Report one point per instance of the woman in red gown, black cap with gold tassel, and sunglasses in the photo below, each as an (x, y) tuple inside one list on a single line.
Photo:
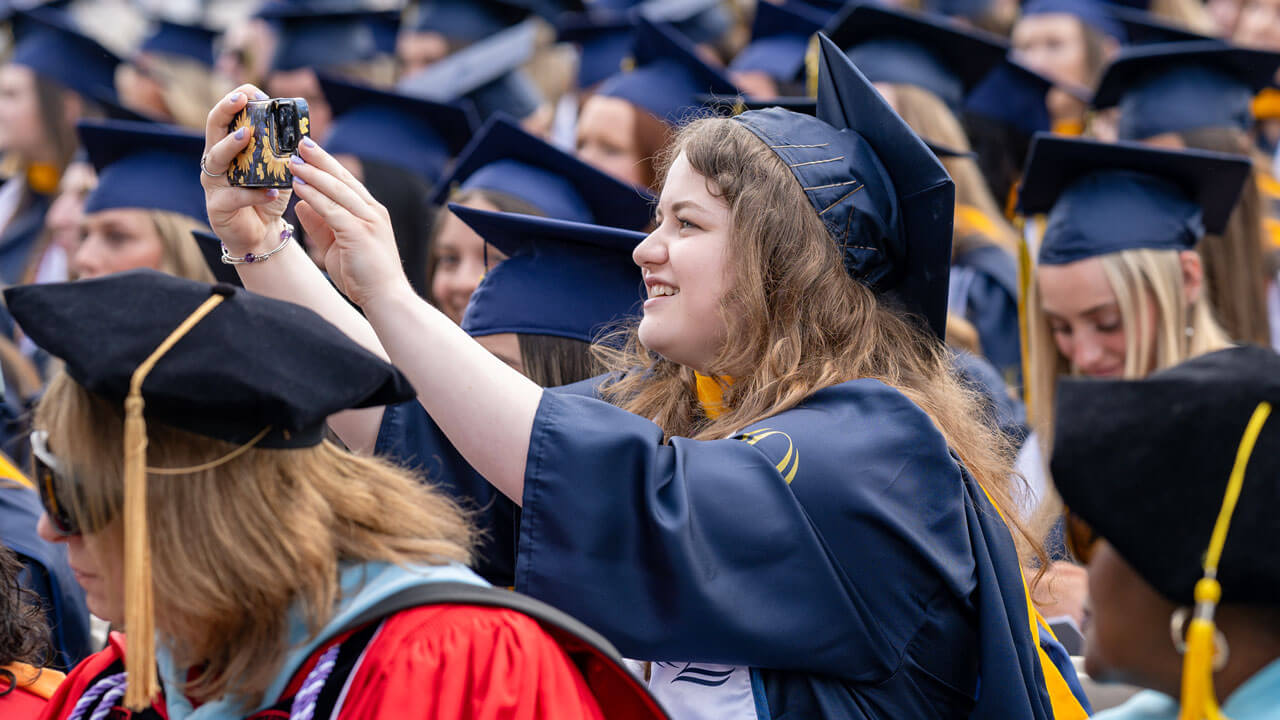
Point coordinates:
[(258, 569)]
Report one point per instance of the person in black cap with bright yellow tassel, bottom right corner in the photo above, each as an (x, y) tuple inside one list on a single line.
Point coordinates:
[(1171, 485)]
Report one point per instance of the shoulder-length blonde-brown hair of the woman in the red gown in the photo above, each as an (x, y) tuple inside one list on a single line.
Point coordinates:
[(237, 546)]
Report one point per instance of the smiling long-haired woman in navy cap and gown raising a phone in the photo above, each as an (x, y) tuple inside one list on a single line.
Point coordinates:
[(767, 514)]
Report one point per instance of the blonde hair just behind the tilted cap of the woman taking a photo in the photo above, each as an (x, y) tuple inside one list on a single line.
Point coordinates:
[(931, 119)]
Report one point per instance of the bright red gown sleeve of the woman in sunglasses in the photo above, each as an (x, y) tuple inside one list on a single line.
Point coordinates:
[(455, 663)]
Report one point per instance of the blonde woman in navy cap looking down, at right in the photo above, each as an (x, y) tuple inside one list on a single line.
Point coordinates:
[(1118, 290)]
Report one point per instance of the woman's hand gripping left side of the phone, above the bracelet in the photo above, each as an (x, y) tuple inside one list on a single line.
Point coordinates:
[(245, 220)]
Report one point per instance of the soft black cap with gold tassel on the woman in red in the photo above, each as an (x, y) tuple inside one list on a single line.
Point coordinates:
[(212, 361)]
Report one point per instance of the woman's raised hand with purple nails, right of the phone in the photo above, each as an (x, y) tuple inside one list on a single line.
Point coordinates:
[(349, 227)]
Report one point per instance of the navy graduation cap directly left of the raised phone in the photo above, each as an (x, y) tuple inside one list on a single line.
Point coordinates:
[(145, 166)]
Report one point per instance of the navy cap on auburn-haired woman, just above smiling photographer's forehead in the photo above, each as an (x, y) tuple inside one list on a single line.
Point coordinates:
[(668, 78)]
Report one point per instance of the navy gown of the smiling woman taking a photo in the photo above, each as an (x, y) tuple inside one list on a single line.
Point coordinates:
[(839, 550)]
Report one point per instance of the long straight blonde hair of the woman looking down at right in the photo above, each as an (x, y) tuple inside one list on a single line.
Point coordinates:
[(1146, 284)]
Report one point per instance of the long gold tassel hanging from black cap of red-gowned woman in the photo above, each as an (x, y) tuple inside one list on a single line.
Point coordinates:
[(140, 662)]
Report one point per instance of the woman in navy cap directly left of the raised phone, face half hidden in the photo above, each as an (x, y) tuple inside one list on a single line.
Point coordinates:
[(147, 203)]
